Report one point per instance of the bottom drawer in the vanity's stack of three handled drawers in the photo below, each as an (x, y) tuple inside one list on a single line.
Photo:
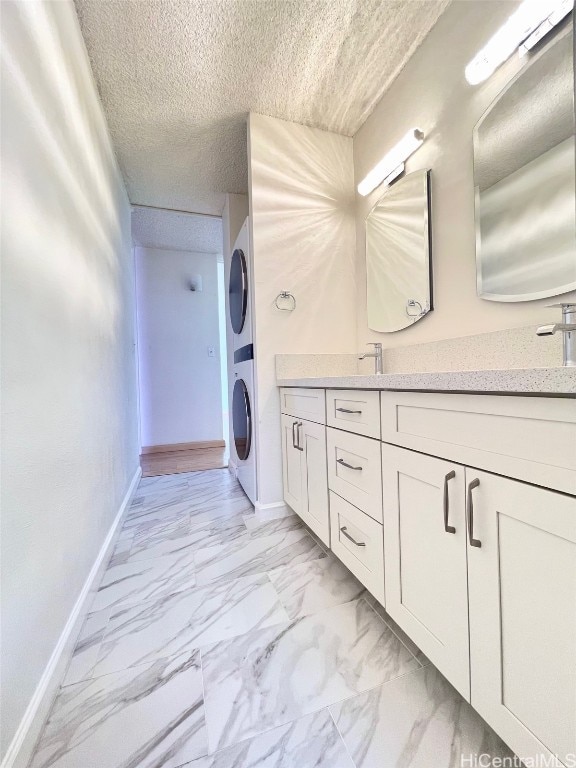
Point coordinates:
[(358, 541)]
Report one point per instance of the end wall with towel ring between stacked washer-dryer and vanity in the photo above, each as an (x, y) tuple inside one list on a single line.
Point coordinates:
[(303, 241)]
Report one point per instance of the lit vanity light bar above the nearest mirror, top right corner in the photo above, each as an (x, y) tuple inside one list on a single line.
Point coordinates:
[(520, 28)]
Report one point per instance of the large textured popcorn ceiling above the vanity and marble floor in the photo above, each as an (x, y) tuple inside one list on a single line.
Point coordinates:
[(178, 78)]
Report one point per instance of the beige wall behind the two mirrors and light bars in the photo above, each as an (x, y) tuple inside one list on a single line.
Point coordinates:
[(431, 93)]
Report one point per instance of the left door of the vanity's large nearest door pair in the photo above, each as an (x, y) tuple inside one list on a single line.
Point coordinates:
[(425, 557)]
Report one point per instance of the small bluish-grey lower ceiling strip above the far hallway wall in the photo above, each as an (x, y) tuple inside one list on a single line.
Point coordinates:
[(176, 231)]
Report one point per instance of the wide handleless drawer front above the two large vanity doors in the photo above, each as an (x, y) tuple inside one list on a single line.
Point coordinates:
[(528, 438)]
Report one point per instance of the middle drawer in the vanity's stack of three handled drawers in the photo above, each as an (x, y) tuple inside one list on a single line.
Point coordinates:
[(355, 470)]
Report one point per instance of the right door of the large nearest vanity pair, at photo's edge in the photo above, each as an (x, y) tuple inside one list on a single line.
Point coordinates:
[(522, 582)]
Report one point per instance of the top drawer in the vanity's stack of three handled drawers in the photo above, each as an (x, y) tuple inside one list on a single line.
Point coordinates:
[(354, 410)]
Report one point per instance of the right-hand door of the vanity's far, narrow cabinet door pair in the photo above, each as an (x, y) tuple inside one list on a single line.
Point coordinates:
[(314, 510)]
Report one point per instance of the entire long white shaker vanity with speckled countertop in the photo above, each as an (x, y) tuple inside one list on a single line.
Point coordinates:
[(457, 511)]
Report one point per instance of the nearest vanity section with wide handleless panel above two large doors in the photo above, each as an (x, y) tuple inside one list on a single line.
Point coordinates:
[(481, 569)]
